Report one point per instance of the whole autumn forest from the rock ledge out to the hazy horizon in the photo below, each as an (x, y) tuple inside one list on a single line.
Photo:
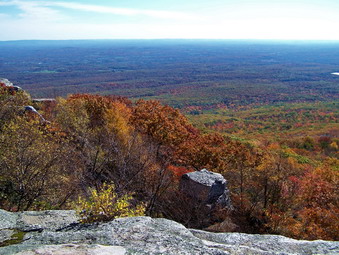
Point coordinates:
[(264, 119)]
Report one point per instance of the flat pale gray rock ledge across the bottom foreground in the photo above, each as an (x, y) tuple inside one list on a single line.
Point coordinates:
[(59, 233)]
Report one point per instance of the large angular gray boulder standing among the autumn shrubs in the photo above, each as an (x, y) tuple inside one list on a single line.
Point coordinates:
[(206, 187)]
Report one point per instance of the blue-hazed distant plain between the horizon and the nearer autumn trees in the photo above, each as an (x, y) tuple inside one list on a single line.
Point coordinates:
[(182, 73)]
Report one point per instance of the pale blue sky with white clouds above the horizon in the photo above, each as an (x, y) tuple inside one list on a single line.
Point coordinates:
[(169, 19)]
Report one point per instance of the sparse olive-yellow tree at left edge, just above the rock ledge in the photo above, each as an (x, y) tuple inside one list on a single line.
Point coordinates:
[(31, 165)]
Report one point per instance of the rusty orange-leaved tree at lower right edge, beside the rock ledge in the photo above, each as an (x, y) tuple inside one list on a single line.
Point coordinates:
[(316, 206)]
